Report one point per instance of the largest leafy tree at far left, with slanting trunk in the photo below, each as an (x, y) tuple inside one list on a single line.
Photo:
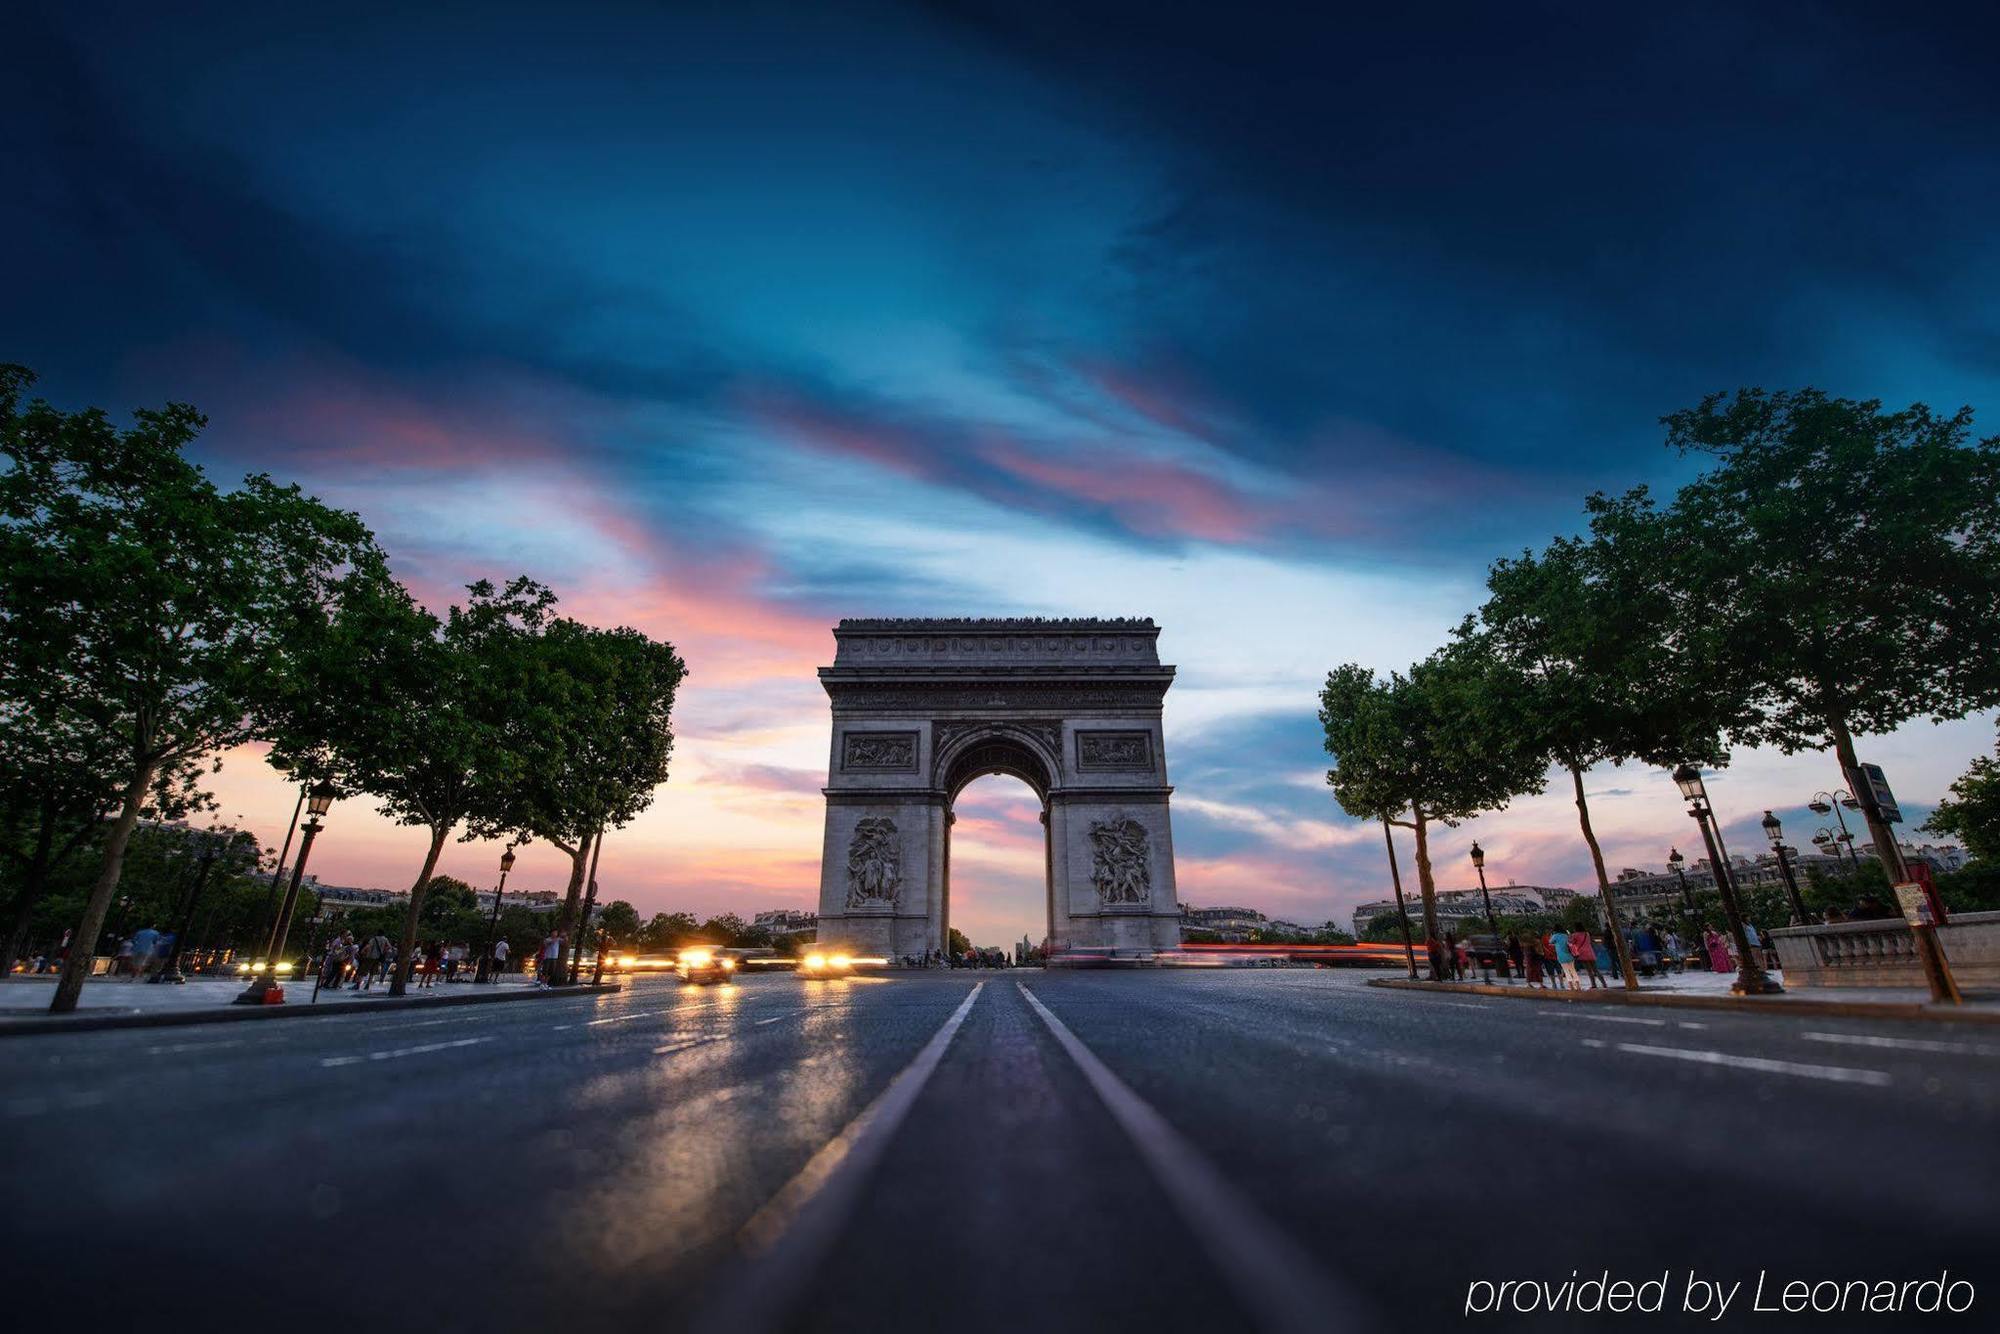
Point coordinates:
[(147, 607)]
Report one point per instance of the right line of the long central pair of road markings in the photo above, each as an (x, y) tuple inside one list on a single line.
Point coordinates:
[(1273, 1275)]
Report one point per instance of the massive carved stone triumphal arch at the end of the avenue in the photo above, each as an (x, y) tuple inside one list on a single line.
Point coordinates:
[(1069, 707)]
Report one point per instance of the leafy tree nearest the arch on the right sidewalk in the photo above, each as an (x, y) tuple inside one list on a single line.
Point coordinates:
[(1429, 747)]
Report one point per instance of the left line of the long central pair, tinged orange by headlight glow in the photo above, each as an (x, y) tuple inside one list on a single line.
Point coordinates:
[(791, 1237)]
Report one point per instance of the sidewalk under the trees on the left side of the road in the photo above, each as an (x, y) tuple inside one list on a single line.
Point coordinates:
[(117, 1003)]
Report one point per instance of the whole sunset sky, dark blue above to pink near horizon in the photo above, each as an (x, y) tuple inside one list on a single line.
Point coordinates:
[(733, 319)]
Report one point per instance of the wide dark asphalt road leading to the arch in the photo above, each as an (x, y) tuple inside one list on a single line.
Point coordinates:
[(981, 1151)]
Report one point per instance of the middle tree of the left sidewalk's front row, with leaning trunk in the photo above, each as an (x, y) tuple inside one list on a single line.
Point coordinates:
[(419, 713)]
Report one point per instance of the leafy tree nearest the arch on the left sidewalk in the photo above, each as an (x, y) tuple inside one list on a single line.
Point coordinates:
[(595, 737)]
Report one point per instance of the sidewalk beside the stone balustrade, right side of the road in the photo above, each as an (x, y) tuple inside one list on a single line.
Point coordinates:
[(1711, 991)]
